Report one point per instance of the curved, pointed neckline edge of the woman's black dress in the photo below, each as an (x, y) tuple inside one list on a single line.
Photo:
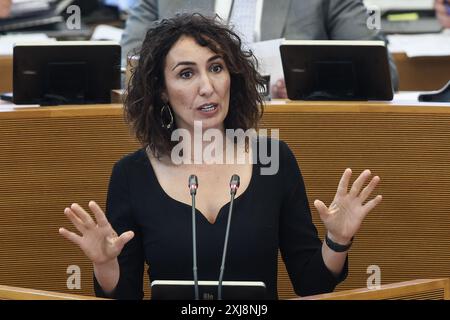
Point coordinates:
[(198, 212)]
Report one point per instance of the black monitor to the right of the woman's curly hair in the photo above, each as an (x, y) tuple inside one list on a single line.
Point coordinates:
[(336, 70)]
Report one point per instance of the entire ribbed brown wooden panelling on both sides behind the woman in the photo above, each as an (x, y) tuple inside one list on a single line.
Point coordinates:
[(52, 157)]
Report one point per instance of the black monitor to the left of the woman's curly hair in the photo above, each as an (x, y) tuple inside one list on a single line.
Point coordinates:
[(67, 72)]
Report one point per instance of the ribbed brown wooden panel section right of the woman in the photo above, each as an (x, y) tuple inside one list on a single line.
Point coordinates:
[(407, 235)]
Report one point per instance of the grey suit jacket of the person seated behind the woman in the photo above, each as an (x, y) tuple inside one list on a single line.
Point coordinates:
[(290, 19)]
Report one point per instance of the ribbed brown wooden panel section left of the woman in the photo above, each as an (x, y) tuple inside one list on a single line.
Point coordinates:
[(45, 165)]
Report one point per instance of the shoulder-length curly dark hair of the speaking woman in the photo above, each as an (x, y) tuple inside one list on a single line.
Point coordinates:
[(143, 101)]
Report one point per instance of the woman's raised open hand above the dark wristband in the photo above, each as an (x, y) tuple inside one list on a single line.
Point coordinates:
[(344, 216)]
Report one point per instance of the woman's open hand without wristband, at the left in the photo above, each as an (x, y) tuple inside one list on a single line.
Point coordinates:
[(99, 242)]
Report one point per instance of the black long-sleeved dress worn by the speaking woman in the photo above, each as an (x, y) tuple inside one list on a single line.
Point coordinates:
[(272, 213)]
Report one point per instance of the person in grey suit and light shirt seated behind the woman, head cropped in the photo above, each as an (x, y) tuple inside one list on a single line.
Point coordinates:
[(268, 19)]
